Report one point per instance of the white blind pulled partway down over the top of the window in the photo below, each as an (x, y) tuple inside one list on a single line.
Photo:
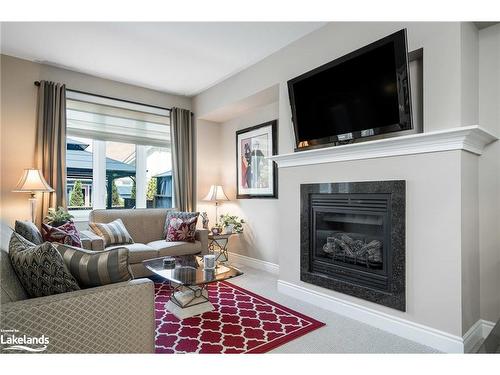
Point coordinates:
[(114, 120)]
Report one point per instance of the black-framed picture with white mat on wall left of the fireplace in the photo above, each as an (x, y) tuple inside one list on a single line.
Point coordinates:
[(256, 176)]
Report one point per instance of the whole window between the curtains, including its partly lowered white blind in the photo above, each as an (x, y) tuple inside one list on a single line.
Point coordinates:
[(118, 154)]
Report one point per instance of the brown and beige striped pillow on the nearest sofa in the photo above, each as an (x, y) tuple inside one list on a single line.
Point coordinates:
[(96, 268)]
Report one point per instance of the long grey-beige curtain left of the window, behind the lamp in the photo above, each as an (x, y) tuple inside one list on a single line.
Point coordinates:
[(50, 147)]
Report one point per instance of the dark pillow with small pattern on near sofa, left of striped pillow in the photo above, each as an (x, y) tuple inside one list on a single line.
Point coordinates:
[(40, 268)]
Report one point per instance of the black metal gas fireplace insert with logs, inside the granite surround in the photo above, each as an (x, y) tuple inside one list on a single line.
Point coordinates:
[(351, 238)]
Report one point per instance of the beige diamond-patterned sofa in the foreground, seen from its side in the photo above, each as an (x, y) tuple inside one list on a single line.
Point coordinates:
[(116, 318)]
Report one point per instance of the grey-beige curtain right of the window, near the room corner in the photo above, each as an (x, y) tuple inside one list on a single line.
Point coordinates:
[(183, 159)]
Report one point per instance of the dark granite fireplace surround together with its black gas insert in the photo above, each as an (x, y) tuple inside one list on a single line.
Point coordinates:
[(353, 239)]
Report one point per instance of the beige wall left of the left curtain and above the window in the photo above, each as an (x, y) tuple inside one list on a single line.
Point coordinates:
[(18, 118)]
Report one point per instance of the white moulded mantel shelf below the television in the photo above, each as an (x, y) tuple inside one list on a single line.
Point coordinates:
[(468, 138)]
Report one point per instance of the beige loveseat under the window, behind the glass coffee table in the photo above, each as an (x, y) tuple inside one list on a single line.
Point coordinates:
[(146, 226)]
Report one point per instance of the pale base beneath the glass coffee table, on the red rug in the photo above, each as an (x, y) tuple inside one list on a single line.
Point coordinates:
[(188, 301)]
